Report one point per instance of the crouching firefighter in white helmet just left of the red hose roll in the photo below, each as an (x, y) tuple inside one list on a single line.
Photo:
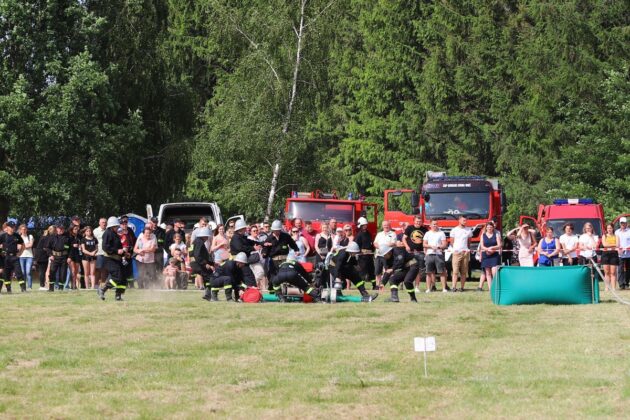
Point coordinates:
[(231, 276)]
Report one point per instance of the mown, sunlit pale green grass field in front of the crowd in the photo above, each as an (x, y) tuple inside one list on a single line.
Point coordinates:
[(171, 354)]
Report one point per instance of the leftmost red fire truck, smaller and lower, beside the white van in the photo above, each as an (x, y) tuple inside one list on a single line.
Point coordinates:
[(319, 207)]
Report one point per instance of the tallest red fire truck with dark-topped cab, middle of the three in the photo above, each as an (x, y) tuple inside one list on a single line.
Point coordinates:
[(445, 198)]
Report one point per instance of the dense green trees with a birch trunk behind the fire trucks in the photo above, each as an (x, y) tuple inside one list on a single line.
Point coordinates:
[(105, 106)]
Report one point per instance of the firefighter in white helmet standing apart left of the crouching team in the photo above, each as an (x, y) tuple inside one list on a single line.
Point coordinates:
[(114, 252)]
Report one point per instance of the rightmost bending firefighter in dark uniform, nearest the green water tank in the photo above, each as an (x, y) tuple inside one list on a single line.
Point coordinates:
[(400, 267)]
